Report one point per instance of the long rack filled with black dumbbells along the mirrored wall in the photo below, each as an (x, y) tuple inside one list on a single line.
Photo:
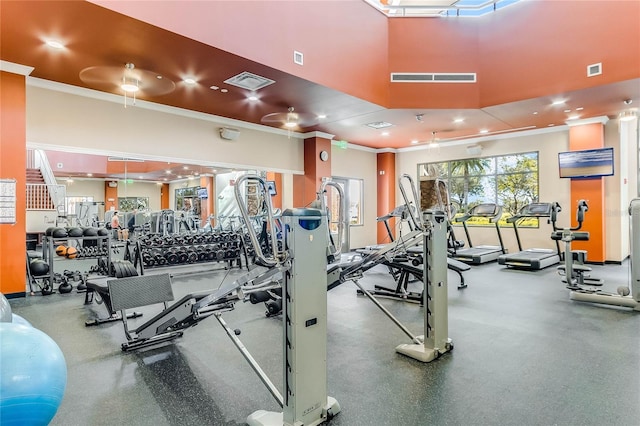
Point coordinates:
[(156, 250)]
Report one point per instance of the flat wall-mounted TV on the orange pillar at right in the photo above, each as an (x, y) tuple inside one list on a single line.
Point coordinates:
[(588, 163)]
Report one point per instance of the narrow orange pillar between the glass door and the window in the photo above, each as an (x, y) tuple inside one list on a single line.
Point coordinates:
[(386, 186)]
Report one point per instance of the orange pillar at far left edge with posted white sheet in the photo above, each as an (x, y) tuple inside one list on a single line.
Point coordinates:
[(13, 167)]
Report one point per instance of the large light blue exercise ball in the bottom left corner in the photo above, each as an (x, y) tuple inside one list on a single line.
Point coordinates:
[(33, 376)]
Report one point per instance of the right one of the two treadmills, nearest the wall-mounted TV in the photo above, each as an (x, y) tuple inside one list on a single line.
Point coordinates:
[(533, 258)]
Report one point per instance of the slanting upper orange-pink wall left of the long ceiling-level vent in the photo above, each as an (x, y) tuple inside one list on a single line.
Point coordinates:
[(344, 42)]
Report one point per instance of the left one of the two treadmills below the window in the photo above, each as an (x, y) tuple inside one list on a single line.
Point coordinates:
[(481, 254)]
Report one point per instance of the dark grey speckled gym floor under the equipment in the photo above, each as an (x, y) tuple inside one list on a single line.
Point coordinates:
[(524, 355)]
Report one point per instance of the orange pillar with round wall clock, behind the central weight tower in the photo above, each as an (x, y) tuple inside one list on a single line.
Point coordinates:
[(305, 186)]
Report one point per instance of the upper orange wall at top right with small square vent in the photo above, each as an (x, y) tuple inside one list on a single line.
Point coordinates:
[(559, 39)]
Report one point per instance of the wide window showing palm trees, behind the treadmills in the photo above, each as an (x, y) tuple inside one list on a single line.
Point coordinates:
[(510, 181)]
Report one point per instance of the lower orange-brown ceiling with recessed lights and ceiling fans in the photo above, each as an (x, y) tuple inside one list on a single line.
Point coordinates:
[(94, 36)]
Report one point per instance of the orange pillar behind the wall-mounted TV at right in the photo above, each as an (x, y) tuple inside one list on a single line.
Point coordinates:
[(589, 136)]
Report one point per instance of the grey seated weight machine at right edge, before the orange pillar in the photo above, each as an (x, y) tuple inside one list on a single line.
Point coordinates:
[(579, 285)]
